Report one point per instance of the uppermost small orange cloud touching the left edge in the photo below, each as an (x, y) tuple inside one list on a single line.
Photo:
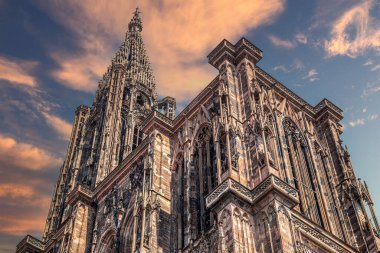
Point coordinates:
[(18, 71)]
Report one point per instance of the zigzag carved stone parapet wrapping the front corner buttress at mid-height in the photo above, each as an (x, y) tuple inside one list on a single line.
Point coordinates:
[(271, 183)]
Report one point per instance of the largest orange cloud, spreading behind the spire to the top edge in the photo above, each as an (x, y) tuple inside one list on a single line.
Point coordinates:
[(177, 35)]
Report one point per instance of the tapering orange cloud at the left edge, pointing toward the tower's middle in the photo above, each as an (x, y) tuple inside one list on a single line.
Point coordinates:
[(26, 156)]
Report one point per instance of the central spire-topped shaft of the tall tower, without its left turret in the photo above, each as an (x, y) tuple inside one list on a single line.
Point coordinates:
[(126, 95)]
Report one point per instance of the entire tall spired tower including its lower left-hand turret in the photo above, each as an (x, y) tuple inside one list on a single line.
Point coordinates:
[(106, 133)]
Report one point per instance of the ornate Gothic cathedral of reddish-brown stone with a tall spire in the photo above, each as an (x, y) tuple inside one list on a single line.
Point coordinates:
[(248, 166)]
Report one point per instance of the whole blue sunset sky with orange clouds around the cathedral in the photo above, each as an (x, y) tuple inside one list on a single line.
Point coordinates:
[(52, 54)]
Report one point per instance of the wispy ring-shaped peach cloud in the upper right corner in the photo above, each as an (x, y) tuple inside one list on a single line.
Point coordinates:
[(354, 32)]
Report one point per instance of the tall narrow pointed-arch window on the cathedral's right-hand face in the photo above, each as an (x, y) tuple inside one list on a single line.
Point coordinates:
[(302, 170)]
